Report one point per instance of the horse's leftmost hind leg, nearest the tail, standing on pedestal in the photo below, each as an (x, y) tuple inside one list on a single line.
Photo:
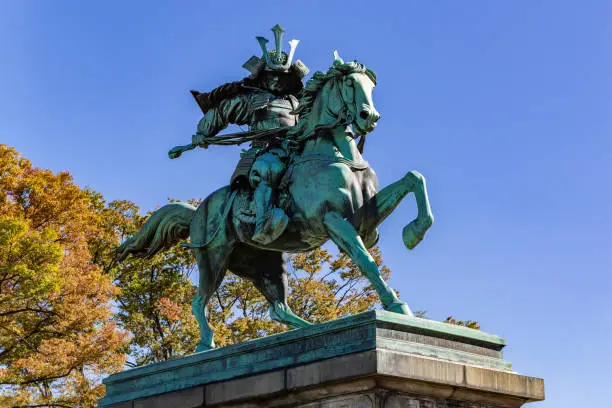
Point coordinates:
[(212, 264)]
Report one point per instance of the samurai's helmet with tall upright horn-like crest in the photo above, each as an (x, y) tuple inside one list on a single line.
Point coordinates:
[(276, 60)]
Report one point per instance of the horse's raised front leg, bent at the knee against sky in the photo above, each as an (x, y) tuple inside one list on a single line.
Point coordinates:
[(379, 207)]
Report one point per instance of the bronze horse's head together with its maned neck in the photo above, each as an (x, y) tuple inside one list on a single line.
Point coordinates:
[(340, 96)]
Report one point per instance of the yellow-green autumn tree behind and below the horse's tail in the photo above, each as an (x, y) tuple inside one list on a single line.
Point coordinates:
[(154, 300)]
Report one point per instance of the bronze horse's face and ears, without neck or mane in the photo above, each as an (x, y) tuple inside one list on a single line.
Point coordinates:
[(354, 95)]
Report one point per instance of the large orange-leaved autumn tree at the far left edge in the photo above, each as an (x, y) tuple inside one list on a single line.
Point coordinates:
[(57, 337)]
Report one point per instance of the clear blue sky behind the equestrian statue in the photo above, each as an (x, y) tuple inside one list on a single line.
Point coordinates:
[(505, 107)]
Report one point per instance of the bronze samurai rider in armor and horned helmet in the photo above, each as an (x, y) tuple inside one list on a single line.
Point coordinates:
[(265, 100)]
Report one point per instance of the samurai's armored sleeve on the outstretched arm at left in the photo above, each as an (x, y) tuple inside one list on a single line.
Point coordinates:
[(235, 110)]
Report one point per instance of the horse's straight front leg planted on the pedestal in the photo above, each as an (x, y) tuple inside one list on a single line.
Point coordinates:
[(342, 232)]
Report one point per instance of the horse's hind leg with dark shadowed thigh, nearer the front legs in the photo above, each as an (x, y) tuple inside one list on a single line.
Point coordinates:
[(268, 272)]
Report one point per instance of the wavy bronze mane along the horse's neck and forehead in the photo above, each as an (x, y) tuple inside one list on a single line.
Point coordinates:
[(310, 91)]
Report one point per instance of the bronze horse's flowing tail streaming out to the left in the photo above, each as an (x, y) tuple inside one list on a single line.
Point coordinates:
[(164, 228)]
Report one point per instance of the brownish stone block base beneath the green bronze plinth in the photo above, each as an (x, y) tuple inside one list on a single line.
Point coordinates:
[(373, 378)]
